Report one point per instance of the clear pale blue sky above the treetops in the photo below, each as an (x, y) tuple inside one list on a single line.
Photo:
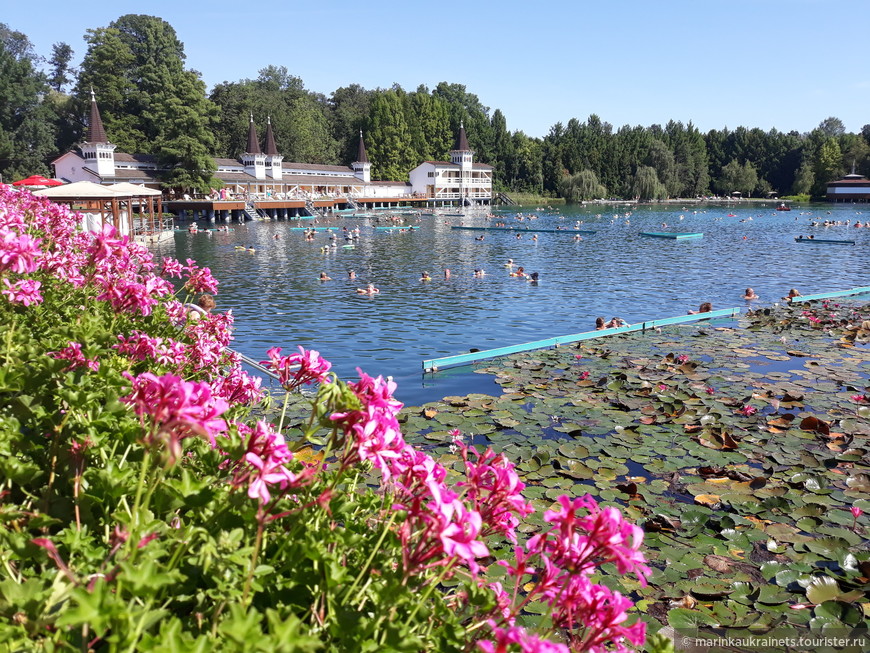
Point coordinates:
[(787, 64)]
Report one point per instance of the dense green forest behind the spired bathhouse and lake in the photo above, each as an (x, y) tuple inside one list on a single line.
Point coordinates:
[(152, 102)]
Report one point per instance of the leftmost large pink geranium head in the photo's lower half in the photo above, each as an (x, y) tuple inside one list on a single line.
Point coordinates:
[(177, 409)]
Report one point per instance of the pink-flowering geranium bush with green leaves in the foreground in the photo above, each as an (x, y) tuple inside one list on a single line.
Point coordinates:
[(147, 508)]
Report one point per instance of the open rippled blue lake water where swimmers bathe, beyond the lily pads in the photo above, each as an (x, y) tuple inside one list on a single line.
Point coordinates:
[(277, 299)]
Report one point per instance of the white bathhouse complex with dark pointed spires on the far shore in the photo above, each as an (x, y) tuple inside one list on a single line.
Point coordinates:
[(262, 173)]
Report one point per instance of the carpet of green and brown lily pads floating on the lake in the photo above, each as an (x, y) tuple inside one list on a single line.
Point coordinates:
[(741, 450)]
